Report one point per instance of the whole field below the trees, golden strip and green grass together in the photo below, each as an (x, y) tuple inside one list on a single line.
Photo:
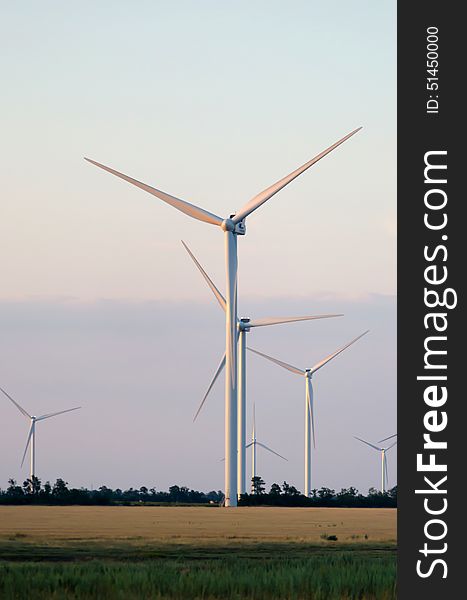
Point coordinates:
[(196, 552)]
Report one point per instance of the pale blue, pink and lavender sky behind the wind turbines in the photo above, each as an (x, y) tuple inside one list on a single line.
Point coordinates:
[(100, 305)]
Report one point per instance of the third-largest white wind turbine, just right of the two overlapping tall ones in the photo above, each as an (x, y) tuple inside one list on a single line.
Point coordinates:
[(309, 410)]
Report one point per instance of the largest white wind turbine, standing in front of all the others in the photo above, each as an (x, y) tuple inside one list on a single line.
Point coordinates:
[(232, 226)]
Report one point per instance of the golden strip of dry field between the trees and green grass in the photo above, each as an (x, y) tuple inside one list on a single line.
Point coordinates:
[(196, 524)]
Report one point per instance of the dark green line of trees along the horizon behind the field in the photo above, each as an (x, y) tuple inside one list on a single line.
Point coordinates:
[(34, 492)]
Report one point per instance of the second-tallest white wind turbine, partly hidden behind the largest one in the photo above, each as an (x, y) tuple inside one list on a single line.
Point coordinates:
[(244, 325)]
